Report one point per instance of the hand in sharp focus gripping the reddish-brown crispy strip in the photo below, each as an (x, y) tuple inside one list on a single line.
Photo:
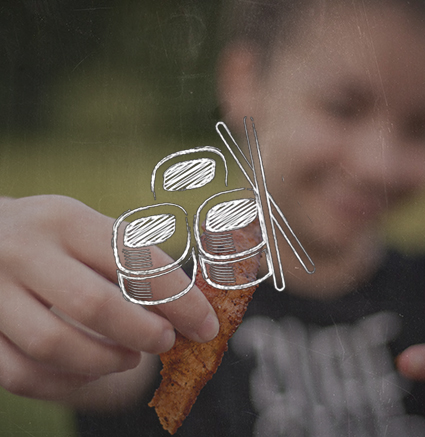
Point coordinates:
[(63, 321)]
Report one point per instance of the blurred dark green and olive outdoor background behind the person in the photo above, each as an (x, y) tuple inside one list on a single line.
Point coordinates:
[(92, 95)]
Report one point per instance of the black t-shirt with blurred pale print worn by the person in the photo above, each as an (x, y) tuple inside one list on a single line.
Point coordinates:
[(299, 367)]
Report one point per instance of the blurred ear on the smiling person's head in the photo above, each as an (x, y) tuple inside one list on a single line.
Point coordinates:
[(238, 83)]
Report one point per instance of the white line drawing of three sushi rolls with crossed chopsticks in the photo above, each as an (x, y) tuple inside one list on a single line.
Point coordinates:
[(235, 209)]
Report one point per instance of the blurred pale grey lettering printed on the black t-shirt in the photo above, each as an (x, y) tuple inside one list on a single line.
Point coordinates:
[(326, 382)]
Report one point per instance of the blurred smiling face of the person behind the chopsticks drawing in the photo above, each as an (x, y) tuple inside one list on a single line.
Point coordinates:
[(341, 118)]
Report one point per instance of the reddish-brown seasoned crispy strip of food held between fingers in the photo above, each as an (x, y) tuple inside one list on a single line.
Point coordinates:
[(189, 365)]
